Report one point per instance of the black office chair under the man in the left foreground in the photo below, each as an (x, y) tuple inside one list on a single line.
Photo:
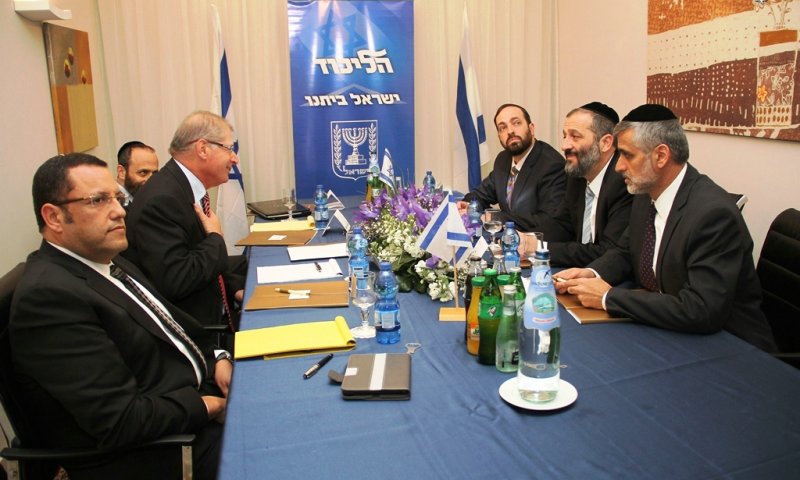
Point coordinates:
[(21, 462)]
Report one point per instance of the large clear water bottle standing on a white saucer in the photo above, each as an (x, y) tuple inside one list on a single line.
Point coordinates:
[(539, 335)]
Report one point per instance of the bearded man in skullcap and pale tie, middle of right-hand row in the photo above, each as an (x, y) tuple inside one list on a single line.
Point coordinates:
[(596, 208)]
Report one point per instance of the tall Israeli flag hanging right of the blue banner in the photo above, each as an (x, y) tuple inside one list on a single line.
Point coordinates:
[(470, 118)]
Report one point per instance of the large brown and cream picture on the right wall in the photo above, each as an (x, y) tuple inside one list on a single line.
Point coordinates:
[(727, 66)]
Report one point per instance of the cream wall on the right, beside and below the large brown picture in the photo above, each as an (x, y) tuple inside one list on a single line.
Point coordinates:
[(603, 56)]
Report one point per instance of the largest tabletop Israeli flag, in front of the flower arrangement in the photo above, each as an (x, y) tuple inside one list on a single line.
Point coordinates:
[(445, 231)]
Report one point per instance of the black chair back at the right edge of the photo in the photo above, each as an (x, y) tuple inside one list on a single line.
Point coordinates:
[(779, 272)]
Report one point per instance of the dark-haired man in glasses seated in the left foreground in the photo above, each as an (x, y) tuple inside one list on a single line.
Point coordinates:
[(95, 366)]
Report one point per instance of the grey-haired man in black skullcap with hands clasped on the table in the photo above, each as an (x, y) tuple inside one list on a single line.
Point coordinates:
[(687, 244)]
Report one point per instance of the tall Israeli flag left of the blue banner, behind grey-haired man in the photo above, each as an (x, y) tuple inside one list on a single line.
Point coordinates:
[(231, 206)]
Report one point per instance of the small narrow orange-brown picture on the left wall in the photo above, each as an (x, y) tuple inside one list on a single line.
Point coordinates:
[(70, 69)]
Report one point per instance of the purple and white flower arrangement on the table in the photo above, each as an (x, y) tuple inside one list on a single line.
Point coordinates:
[(392, 222)]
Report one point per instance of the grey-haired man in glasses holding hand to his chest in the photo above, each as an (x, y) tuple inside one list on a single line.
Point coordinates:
[(173, 235)]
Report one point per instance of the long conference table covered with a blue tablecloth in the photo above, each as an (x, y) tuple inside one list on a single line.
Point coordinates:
[(651, 404)]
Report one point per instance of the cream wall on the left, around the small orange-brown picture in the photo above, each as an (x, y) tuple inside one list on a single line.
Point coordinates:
[(28, 136)]
